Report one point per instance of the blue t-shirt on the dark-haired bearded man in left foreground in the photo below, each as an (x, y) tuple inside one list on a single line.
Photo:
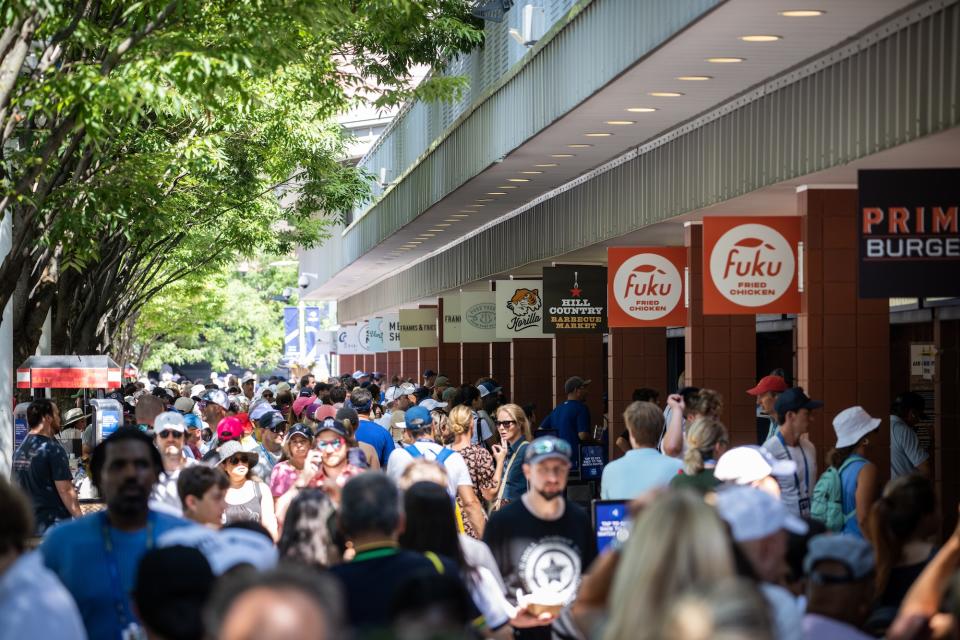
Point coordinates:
[(76, 552)]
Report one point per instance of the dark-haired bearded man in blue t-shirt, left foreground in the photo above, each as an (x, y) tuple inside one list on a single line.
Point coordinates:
[(96, 556)]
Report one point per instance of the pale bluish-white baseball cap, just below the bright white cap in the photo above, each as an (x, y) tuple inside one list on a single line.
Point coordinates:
[(753, 514)]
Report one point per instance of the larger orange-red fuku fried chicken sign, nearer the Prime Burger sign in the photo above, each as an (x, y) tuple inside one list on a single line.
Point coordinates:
[(751, 265)]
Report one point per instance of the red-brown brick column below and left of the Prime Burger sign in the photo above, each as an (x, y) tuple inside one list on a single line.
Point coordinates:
[(843, 342)]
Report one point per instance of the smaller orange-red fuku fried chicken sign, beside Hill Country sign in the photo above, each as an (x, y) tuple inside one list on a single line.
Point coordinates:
[(645, 286)]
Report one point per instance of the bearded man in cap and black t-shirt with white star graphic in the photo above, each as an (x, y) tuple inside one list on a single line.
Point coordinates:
[(542, 543)]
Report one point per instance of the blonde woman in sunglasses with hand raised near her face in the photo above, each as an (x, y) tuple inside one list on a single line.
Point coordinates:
[(514, 430)]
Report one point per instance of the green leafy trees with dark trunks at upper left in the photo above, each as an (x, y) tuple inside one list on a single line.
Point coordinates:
[(144, 142)]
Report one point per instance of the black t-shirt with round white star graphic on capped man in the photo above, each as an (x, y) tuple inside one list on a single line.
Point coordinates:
[(540, 555)]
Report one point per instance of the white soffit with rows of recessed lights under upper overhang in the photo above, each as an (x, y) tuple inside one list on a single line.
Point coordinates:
[(718, 35)]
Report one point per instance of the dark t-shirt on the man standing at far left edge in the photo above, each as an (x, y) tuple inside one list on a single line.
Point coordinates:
[(38, 463)]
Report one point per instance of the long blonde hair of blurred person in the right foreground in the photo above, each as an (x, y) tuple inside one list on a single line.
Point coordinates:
[(656, 569)]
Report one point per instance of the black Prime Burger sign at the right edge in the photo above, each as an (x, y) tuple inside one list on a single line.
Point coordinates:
[(909, 240)]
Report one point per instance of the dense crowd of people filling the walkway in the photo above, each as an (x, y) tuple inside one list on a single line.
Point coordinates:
[(367, 508)]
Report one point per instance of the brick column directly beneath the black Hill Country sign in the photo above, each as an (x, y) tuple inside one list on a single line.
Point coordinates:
[(580, 355)]
